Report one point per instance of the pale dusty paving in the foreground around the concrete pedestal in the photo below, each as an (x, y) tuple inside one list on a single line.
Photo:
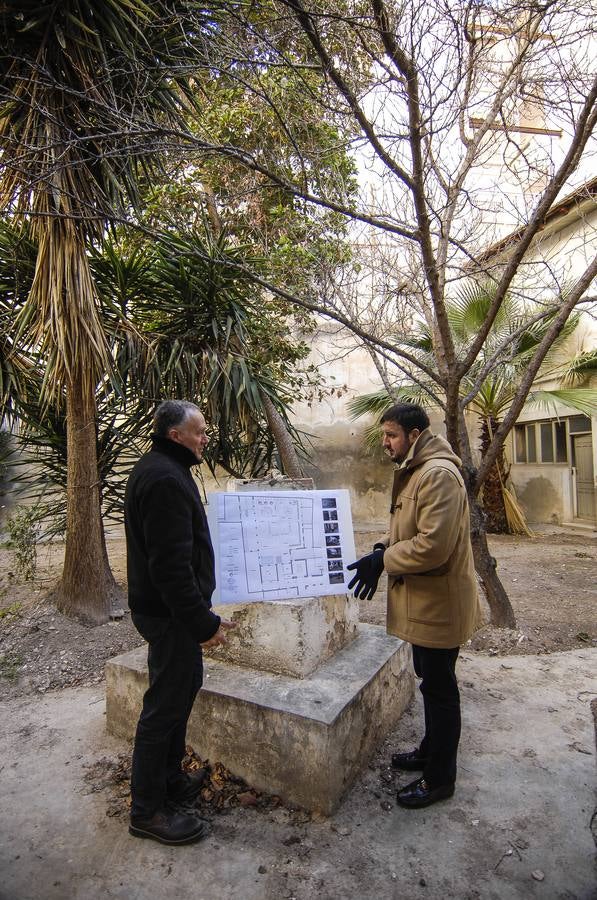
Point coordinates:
[(522, 824)]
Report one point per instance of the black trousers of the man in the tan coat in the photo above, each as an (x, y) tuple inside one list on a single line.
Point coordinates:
[(441, 700)]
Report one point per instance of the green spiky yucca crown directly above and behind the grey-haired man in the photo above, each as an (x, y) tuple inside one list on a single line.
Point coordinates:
[(202, 325)]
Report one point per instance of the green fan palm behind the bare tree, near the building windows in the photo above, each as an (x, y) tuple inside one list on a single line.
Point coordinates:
[(489, 397)]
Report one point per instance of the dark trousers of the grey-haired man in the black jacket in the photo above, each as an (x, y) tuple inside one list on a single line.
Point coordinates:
[(175, 675)]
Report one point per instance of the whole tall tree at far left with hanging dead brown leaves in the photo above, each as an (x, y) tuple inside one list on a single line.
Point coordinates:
[(77, 78)]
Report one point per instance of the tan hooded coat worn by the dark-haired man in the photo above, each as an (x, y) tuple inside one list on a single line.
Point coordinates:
[(432, 587)]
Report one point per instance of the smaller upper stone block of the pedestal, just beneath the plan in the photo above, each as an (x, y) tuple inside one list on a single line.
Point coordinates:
[(289, 637)]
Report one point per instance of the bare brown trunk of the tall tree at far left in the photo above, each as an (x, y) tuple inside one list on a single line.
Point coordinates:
[(87, 589)]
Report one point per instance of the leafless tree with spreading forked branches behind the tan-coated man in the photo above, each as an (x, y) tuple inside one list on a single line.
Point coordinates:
[(466, 121)]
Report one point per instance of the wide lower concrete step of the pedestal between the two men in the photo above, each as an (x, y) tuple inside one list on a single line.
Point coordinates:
[(305, 740)]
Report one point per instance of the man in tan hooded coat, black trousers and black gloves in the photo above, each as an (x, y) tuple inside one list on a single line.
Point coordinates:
[(432, 589)]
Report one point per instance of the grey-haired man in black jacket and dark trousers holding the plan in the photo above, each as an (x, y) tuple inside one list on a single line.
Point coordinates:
[(170, 565)]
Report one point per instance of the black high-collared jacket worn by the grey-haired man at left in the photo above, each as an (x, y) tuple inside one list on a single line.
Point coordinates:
[(170, 559)]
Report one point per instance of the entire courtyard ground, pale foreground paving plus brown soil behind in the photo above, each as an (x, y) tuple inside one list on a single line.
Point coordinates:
[(523, 823)]
